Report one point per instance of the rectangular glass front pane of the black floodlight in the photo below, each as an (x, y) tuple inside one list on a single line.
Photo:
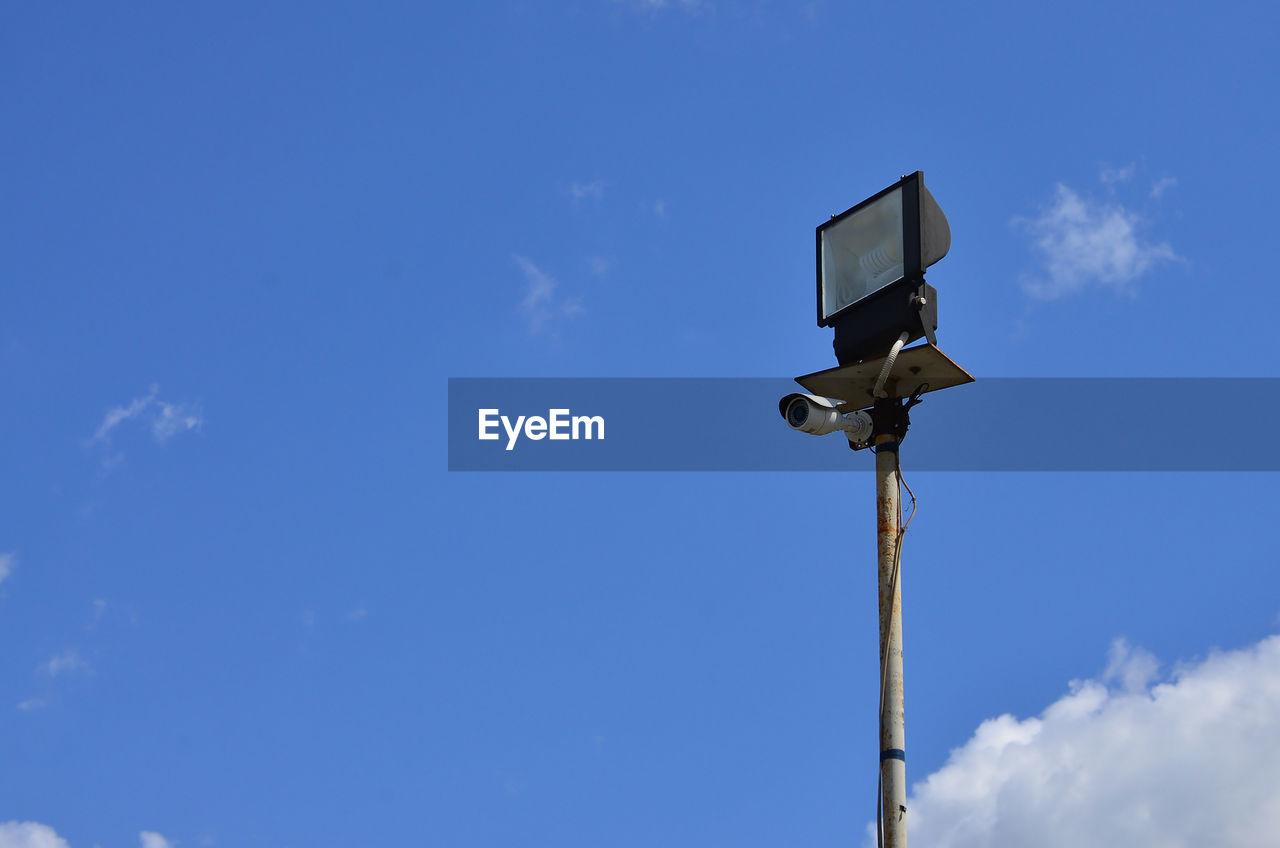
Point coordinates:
[(862, 254)]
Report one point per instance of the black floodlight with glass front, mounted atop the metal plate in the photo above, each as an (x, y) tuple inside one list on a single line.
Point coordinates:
[(871, 270)]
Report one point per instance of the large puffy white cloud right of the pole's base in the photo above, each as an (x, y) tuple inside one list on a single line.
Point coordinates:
[(1190, 762)]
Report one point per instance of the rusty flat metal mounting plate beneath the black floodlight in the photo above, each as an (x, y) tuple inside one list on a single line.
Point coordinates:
[(924, 364)]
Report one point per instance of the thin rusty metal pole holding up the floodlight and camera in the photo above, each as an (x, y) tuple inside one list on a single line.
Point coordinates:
[(893, 740)]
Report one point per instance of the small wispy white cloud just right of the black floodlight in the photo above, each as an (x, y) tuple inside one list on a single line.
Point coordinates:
[(1084, 244)]
